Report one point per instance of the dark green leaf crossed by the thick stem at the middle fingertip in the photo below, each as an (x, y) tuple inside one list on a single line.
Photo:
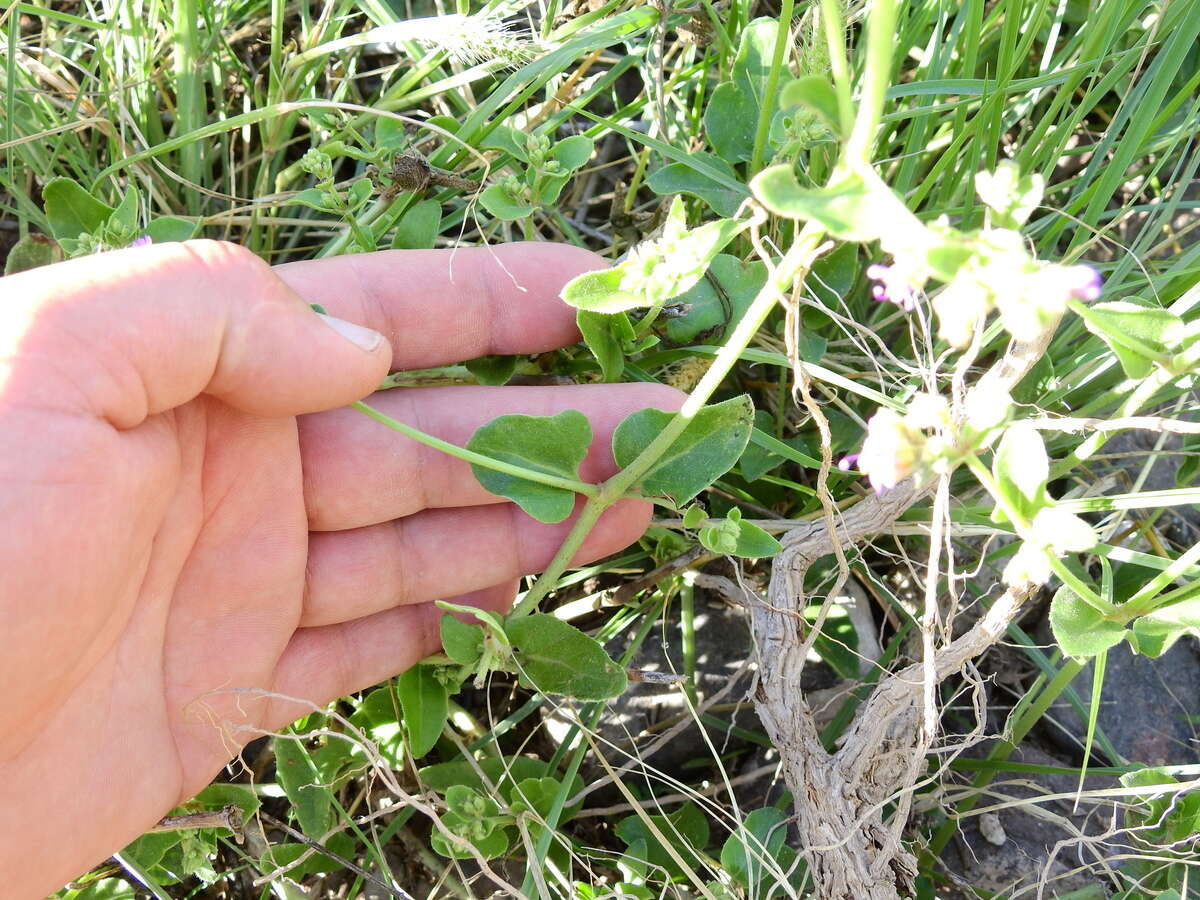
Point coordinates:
[(706, 451)]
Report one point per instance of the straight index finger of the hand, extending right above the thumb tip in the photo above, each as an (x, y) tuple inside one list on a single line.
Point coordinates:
[(442, 307)]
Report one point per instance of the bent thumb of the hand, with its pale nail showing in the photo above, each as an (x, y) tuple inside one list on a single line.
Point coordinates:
[(151, 328)]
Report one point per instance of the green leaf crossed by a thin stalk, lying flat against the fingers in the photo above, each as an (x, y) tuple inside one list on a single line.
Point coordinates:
[(555, 446)]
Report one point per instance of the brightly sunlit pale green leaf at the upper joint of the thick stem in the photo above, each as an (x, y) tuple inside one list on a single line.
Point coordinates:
[(850, 209)]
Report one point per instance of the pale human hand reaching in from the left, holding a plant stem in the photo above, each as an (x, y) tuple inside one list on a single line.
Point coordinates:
[(193, 523)]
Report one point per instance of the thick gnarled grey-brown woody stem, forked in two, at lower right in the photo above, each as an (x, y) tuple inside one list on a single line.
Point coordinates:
[(851, 850)]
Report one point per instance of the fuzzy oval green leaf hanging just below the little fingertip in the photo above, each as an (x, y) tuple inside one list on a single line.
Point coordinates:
[(557, 658)]
